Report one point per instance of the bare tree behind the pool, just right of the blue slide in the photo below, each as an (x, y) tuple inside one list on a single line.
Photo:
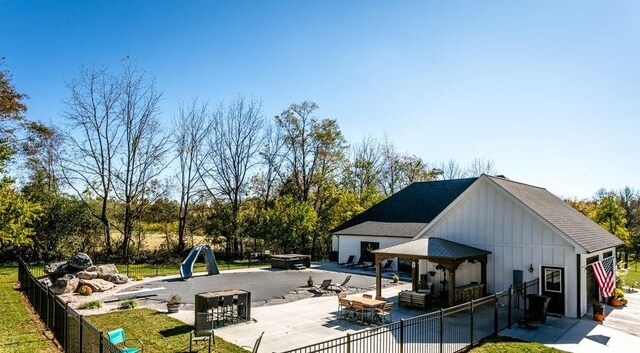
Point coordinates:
[(233, 147)]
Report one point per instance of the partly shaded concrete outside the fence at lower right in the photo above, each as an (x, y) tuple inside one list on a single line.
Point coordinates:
[(620, 331)]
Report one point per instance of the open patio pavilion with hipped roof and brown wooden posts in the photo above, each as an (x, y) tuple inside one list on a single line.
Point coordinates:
[(446, 253)]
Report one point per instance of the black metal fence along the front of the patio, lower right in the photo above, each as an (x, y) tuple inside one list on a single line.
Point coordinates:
[(445, 331)]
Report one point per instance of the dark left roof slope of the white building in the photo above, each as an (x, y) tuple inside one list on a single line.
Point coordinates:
[(400, 213)]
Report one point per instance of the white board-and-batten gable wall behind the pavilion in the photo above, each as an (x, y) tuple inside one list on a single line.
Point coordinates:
[(488, 218)]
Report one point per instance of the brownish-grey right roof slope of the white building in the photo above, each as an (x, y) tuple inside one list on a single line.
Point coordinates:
[(574, 224)]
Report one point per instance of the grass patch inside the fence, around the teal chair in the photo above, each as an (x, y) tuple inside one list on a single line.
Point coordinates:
[(159, 332)]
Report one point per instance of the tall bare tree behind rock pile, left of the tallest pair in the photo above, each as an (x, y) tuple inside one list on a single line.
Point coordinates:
[(92, 140)]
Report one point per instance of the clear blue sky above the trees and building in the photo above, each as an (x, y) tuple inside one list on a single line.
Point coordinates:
[(549, 90)]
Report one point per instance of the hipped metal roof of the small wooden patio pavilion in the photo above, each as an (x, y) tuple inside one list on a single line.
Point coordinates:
[(434, 247)]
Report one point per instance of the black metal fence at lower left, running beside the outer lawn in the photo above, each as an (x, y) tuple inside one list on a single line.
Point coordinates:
[(72, 332)]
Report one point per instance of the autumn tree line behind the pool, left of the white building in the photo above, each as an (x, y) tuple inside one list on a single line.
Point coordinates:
[(113, 171)]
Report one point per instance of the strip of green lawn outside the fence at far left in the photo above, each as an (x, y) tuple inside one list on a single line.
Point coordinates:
[(20, 330)]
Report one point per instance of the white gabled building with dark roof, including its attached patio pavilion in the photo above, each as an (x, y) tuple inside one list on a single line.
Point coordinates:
[(488, 230)]
